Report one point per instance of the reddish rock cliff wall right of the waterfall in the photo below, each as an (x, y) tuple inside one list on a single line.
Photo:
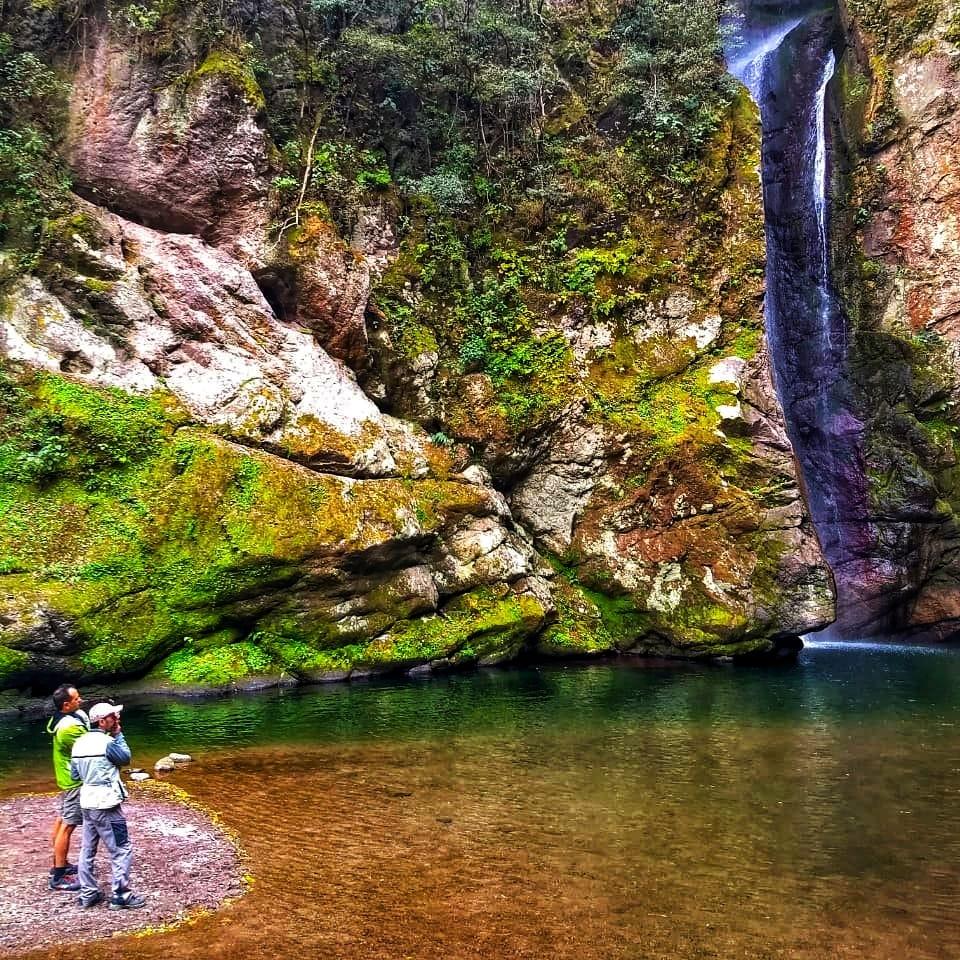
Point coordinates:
[(898, 256)]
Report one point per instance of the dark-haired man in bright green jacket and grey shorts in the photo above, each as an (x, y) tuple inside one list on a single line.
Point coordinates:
[(66, 726)]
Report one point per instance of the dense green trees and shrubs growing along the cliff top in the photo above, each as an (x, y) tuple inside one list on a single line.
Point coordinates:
[(454, 101)]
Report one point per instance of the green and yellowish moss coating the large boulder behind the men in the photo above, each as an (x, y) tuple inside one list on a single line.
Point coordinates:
[(176, 533)]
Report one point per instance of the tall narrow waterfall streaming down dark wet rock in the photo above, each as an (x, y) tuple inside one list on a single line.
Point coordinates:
[(784, 56)]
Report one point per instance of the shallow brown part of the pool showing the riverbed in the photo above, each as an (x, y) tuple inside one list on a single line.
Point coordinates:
[(501, 849)]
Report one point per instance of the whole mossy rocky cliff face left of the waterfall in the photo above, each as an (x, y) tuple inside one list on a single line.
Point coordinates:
[(286, 394)]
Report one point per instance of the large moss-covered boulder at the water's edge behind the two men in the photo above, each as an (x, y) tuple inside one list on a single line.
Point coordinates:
[(135, 541)]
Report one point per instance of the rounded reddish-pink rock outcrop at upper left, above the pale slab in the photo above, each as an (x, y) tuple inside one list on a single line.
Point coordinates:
[(185, 154)]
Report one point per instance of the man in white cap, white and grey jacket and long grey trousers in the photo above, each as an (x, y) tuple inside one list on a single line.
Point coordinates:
[(96, 760)]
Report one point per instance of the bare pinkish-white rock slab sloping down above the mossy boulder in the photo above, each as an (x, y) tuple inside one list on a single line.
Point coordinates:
[(191, 318)]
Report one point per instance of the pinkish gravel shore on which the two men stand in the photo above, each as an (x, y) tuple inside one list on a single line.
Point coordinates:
[(184, 864)]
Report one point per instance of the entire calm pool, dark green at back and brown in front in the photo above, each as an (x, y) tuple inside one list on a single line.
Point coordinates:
[(583, 811)]
